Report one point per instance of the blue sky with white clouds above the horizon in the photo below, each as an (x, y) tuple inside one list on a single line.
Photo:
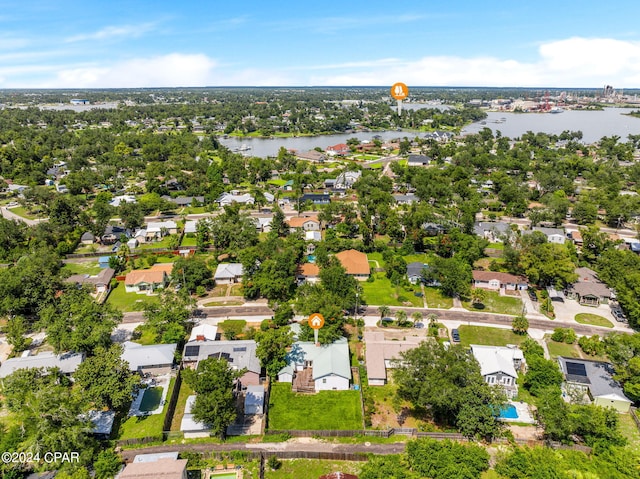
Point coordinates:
[(142, 43)]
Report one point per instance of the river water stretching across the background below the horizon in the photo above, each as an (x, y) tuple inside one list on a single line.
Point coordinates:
[(593, 124)]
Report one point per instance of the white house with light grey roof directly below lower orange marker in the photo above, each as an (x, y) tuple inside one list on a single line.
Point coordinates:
[(313, 367)]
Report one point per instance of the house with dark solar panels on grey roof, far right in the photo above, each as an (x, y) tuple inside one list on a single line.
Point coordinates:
[(595, 379)]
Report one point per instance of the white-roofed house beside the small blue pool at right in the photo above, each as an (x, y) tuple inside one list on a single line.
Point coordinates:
[(499, 365)]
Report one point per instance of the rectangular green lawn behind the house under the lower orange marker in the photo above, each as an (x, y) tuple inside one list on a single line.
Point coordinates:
[(323, 410)]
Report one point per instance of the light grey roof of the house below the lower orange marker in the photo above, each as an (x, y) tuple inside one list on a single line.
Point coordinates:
[(327, 359)]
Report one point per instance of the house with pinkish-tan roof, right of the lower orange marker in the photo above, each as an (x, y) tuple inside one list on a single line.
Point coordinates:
[(382, 354)]
